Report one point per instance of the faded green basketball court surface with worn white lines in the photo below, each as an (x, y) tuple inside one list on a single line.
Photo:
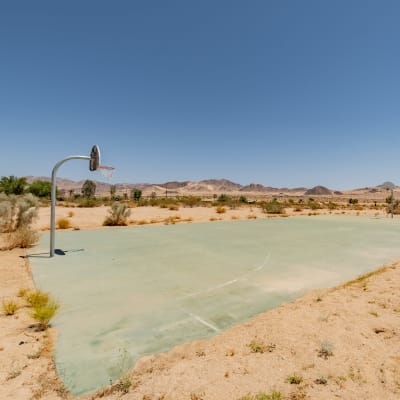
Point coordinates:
[(128, 292)]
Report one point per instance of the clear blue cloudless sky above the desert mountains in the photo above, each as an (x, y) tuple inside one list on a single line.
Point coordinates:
[(283, 93)]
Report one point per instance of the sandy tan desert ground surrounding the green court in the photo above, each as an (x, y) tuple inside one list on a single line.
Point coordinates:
[(341, 342)]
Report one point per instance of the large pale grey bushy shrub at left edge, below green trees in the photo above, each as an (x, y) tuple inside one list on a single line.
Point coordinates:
[(17, 211)]
